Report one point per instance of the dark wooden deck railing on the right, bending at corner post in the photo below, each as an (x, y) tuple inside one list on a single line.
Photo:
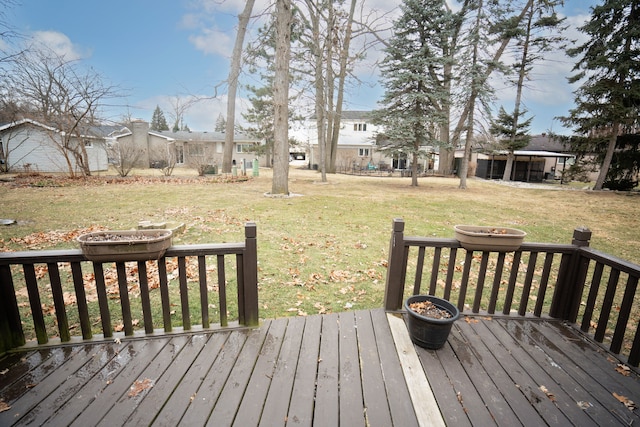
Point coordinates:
[(572, 282)]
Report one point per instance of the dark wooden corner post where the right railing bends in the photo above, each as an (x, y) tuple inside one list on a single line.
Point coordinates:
[(571, 277)]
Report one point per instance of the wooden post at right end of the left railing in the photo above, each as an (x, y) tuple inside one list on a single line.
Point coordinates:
[(249, 300)]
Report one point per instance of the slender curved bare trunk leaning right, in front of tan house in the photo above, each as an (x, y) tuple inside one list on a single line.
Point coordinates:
[(234, 72)]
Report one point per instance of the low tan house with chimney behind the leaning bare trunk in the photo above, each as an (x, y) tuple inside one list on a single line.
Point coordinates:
[(189, 148)]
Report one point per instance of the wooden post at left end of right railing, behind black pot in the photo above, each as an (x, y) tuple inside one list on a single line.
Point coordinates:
[(396, 270)]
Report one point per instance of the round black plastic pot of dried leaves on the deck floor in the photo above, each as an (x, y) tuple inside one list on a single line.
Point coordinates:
[(425, 330)]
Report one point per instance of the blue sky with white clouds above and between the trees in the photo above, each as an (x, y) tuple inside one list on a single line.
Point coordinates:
[(158, 51)]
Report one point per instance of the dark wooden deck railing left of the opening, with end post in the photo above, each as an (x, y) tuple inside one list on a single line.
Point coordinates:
[(69, 275)]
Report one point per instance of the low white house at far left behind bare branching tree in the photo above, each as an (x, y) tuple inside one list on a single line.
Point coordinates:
[(29, 146)]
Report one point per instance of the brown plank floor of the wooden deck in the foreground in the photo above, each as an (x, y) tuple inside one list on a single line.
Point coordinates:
[(324, 370)]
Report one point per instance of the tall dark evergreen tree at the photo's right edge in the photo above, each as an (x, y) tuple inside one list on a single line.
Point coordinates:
[(608, 101)]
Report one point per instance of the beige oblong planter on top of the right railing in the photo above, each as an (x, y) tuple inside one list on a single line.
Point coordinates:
[(483, 238)]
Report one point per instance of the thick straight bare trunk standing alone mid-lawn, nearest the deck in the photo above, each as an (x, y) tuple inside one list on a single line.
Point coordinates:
[(284, 16)]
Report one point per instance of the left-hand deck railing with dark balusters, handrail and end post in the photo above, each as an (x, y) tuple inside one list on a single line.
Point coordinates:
[(11, 330)]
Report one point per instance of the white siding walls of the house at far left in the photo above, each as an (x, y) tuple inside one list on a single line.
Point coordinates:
[(31, 149)]
